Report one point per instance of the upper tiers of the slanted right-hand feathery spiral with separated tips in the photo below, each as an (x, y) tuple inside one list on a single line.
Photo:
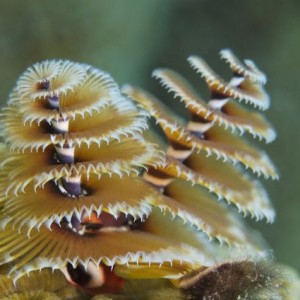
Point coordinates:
[(209, 149)]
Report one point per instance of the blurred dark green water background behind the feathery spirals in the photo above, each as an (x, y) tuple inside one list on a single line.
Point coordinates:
[(130, 38)]
